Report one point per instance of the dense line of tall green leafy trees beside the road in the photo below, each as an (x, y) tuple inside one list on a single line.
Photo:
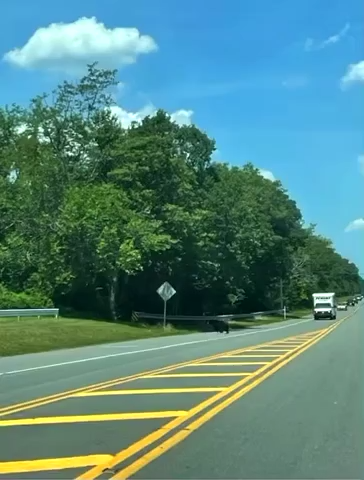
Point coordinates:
[(94, 217)]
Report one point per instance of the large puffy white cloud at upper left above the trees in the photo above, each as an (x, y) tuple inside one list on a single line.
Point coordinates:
[(68, 47)]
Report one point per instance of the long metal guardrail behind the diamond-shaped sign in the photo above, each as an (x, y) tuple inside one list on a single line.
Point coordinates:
[(136, 316)]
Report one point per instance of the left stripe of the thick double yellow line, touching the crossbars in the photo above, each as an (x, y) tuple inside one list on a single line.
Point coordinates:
[(160, 433)]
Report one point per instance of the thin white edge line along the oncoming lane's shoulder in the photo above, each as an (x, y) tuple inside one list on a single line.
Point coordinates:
[(120, 354)]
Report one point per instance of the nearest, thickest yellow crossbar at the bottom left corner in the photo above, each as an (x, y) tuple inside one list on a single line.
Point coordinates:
[(46, 464)]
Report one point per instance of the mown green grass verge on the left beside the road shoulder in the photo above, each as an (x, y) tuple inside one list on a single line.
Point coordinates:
[(30, 335)]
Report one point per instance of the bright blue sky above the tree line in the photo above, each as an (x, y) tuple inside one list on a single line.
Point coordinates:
[(262, 77)]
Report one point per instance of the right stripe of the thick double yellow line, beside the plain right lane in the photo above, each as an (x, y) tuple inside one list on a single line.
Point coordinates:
[(182, 434)]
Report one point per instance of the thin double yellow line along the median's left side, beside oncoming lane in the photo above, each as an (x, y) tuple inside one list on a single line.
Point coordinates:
[(37, 402)]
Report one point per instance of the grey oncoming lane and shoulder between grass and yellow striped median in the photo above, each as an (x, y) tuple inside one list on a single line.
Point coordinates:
[(30, 376)]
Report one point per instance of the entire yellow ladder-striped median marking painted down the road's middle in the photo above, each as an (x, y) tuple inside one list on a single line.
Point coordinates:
[(132, 459)]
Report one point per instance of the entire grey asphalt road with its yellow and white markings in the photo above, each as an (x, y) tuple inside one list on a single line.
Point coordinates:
[(282, 402)]
